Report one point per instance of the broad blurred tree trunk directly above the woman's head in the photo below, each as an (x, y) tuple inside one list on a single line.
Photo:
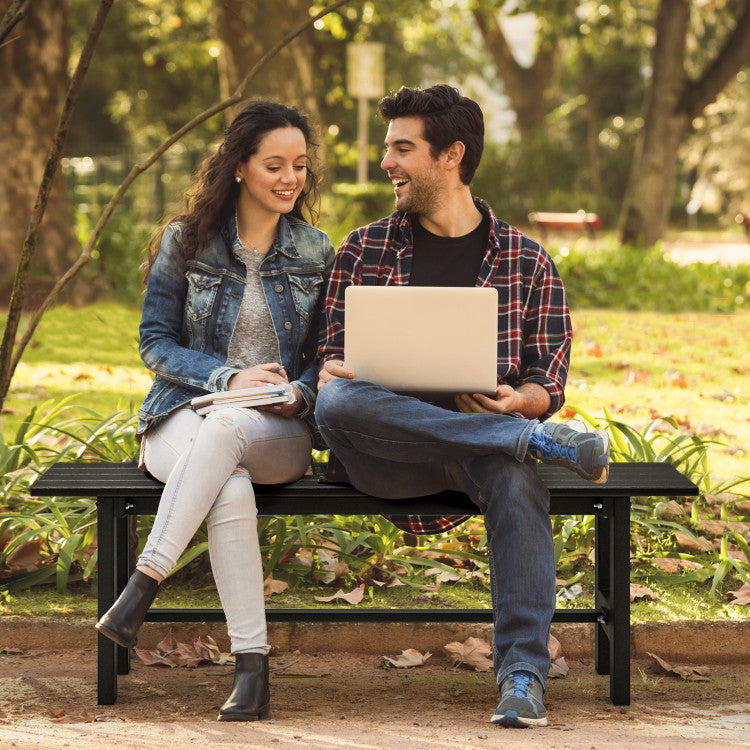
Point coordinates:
[(247, 30)]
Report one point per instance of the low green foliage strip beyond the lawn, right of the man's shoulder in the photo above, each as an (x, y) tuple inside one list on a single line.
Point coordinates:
[(625, 277)]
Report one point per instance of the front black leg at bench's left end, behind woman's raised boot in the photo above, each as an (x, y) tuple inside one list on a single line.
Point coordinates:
[(106, 649)]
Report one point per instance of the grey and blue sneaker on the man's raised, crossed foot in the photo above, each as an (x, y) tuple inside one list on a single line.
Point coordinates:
[(571, 446)]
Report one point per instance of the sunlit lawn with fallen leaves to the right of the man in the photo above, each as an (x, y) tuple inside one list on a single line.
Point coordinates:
[(689, 366)]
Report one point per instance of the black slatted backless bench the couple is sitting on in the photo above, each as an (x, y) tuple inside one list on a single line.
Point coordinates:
[(123, 491)]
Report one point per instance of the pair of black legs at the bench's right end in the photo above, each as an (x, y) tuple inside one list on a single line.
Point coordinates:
[(612, 549)]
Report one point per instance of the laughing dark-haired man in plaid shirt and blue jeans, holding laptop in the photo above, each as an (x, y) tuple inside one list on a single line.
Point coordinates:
[(397, 446)]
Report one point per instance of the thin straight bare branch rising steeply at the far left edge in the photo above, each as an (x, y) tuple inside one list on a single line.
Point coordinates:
[(15, 307)]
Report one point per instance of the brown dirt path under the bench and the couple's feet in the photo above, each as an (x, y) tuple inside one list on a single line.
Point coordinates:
[(48, 700)]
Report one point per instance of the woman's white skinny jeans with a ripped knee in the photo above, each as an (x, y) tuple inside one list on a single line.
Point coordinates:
[(207, 464)]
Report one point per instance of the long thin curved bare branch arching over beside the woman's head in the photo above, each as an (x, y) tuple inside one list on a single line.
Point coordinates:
[(138, 169)]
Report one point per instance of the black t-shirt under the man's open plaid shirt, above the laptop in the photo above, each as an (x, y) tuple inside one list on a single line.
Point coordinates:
[(448, 261)]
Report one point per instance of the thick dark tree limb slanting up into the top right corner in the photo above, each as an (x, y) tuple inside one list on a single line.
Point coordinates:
[(734, 54)]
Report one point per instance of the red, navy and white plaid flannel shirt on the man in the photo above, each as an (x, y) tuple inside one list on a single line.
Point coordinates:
[(534, 329)]
